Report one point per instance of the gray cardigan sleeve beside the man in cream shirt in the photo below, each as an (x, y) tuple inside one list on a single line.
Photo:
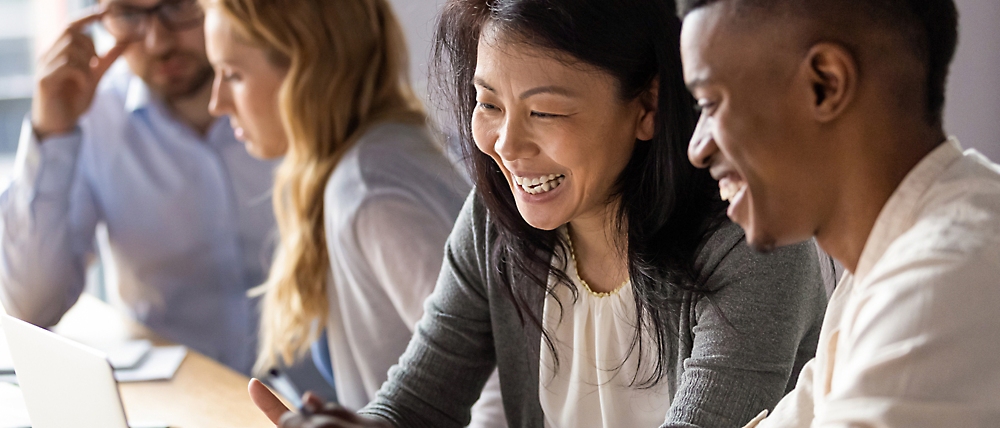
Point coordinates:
[(749, 335)]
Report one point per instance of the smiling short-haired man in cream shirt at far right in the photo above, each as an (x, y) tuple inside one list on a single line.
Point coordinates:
[(824, 118)]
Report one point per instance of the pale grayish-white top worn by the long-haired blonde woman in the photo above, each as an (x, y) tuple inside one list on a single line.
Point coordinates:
[(389, 207)]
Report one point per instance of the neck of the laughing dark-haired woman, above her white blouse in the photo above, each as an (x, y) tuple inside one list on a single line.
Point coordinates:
[(599, 260)]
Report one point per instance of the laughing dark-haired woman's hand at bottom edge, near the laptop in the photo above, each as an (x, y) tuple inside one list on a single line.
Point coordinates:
[(323, 415)]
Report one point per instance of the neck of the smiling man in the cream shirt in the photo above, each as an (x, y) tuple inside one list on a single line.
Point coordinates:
[(874, 167)]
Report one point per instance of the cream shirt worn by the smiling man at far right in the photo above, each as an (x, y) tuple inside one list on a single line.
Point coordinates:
[(912, 338)]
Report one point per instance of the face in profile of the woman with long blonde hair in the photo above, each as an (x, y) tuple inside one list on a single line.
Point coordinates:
[(246, 88)]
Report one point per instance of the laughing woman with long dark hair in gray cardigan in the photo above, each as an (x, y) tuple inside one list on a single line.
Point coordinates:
[(593, 265)]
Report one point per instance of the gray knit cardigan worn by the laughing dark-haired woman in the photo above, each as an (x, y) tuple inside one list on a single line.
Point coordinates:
[(734, 354)]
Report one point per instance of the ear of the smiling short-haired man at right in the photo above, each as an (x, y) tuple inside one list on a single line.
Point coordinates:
[(833, 74)]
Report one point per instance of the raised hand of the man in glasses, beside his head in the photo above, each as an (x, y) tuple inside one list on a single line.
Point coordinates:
[(67, 78)]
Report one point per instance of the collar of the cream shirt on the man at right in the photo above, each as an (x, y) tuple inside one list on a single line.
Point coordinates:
[(899, 213)]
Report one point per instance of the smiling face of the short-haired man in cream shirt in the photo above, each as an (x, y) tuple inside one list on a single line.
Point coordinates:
[(756, 132)]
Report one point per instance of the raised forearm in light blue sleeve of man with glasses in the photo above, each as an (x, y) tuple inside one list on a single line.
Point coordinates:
[(48, 219)]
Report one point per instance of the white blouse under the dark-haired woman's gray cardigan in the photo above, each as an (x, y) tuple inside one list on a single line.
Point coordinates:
[(590, 386)]
